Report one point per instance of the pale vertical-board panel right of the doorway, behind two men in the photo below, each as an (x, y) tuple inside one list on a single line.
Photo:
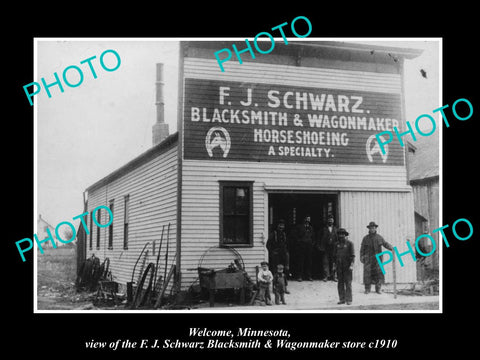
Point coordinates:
[(393, 212)]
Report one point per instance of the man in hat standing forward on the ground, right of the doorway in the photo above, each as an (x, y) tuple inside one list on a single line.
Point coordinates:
[(344, 256)]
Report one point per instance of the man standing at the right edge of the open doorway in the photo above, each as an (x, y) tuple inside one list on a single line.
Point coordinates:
[(325, 245)]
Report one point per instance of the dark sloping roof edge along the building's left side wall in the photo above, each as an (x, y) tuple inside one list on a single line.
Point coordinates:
[(154, 151)]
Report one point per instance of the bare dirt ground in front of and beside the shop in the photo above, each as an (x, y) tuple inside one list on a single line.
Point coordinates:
[(56, 275)]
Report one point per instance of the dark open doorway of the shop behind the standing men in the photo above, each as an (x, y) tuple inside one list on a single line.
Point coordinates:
[(292, 207)]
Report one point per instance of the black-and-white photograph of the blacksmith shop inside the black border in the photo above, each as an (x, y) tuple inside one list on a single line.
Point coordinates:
[(203, 177)]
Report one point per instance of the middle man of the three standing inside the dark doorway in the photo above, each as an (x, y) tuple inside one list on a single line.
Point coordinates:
[(305, 237)]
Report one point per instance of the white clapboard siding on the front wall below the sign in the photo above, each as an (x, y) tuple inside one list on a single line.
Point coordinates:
[(201, 211)]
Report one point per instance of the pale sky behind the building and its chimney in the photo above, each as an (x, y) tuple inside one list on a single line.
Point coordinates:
[(86, 132)]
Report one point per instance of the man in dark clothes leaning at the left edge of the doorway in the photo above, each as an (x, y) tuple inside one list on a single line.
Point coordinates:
[(278, 252)]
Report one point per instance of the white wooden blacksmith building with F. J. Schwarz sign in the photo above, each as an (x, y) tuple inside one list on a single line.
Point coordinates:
[(279, 136)]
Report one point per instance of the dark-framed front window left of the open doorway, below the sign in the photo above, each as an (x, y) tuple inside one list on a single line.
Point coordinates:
[(236, 221)]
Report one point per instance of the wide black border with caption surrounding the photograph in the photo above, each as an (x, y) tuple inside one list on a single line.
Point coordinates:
[(55, 335)]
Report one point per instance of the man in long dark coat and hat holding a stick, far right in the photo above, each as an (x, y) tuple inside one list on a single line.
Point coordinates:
[(372, 245)]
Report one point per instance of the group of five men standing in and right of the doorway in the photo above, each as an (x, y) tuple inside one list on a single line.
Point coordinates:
[(326, 255)]
